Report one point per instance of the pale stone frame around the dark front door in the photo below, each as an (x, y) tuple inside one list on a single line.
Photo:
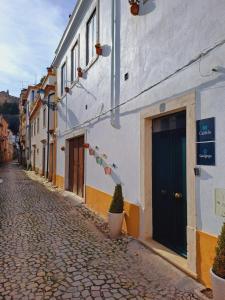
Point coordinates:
[(169, 106)]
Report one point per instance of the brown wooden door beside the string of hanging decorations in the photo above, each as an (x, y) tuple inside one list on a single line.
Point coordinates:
[(76, 166)]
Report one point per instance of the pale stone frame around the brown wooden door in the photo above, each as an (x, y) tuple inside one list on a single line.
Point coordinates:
[(67, 141)]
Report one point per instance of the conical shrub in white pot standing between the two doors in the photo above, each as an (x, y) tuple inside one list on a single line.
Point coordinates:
[(115, 215)]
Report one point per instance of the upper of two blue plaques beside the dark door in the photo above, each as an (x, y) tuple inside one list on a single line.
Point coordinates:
[(206, 130)]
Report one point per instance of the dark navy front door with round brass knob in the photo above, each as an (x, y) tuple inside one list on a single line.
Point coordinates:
[(169, 182)]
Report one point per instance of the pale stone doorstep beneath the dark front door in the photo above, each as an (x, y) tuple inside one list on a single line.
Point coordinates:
[(169, 255)]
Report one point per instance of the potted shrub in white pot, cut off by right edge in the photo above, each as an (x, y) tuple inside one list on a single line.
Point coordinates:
[(218, 269)]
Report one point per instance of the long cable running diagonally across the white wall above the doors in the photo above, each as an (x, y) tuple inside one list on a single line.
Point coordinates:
[(191, 62)]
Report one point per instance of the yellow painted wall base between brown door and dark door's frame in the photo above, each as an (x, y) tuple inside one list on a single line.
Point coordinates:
[(99, 202)]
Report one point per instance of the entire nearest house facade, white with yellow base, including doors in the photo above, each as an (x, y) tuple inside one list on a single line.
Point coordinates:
[(151, 108)]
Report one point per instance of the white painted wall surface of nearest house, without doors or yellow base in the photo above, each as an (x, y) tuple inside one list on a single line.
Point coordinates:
[(164, 37)]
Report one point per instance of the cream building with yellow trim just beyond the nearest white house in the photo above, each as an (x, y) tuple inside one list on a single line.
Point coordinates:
[(41, 142)]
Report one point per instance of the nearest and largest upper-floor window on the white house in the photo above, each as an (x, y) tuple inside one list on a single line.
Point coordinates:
[(91, 37)]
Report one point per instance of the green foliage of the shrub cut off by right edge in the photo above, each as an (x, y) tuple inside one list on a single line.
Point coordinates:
[(219, 261)]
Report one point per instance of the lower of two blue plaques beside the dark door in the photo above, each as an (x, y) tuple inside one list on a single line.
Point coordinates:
[(206, 154)]
